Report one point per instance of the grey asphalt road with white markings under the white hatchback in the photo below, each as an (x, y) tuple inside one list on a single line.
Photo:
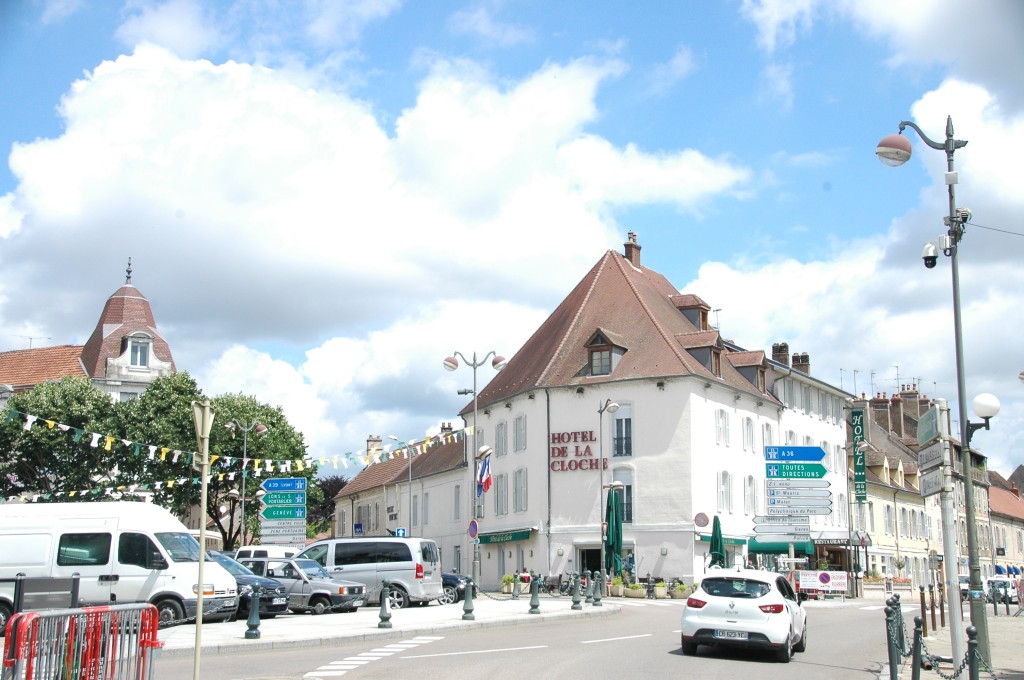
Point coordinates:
[(639, 643)]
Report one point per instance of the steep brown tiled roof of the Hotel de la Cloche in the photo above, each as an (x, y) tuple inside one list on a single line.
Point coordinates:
[(636, 305)]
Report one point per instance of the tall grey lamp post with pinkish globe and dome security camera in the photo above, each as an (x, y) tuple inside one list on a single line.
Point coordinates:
[(893, 151)]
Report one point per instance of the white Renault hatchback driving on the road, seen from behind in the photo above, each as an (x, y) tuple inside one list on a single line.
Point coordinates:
[(746, 609)]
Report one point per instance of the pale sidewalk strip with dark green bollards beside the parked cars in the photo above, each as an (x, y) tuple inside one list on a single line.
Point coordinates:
[(310, 631)]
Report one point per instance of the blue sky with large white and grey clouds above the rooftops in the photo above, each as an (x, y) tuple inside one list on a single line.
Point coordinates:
[(324, 199)]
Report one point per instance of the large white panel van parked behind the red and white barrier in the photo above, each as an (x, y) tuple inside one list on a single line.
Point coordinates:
[(124, 552)]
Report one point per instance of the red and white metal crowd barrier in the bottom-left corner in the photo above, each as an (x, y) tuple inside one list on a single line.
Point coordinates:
[(105, 643)]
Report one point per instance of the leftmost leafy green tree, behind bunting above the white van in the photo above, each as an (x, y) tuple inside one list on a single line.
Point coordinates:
[(47, 460)]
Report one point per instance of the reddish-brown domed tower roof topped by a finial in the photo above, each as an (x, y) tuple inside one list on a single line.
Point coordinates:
[(126, 312)]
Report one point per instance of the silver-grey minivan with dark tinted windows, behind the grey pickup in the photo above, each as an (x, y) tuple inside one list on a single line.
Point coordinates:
[(412, 566)]
